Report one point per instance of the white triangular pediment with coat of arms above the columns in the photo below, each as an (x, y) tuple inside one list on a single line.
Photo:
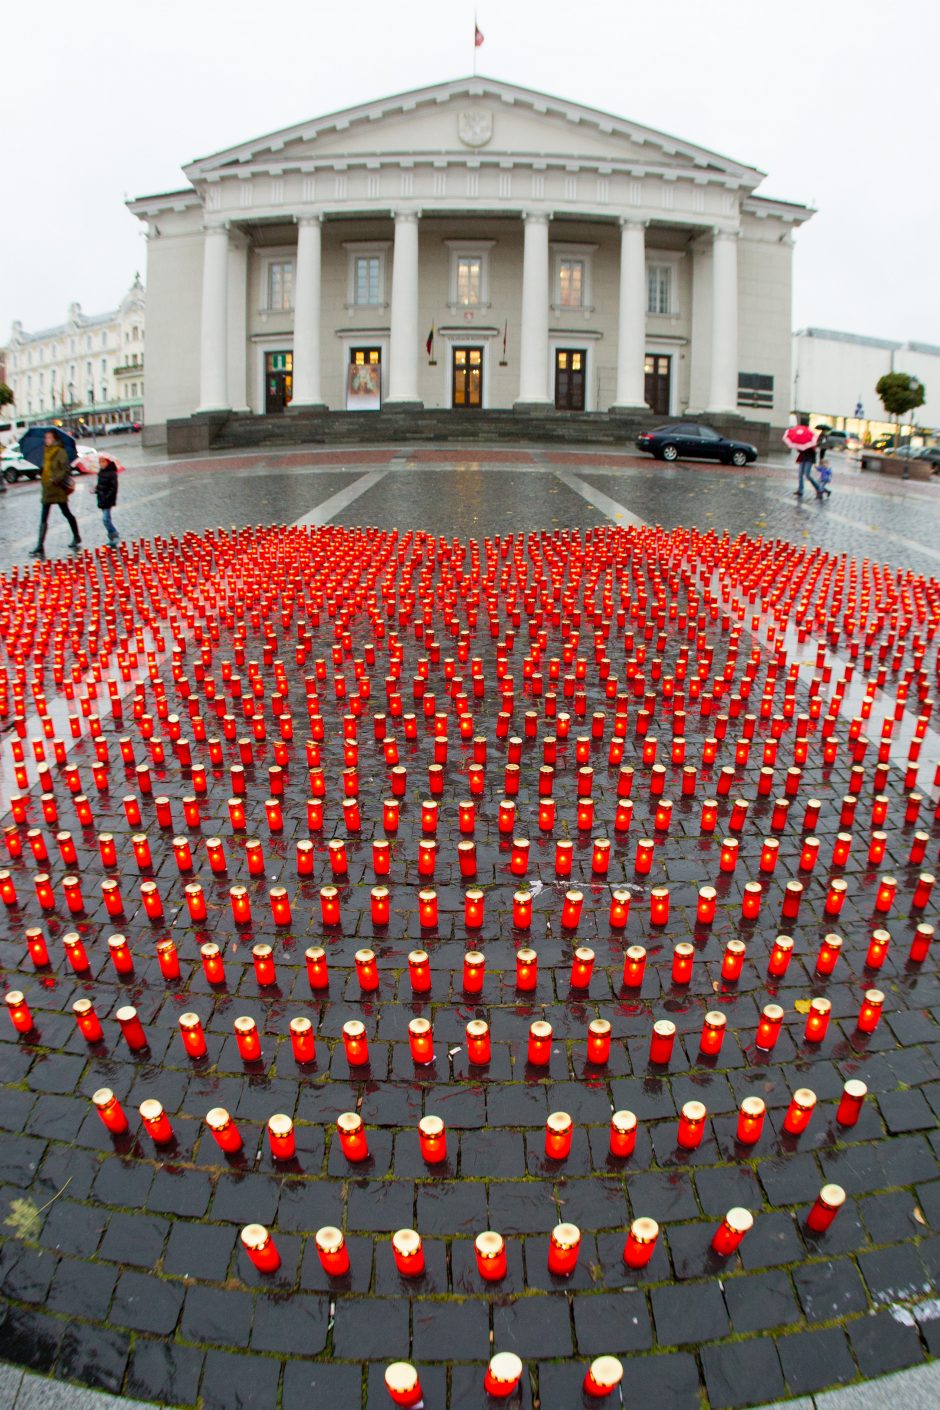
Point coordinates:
[(476, 119)]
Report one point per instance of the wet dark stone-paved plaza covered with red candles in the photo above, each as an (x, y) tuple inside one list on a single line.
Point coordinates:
[(330, 713)]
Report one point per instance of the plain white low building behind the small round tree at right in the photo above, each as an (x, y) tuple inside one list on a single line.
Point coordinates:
[(835, 377)]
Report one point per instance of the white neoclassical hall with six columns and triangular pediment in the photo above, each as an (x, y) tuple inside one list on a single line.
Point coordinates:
[(469, 246)]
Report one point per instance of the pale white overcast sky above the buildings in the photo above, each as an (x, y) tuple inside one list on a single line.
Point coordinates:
[(835, 101)]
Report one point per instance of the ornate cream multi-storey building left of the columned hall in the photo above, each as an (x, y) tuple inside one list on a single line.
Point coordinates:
[(88, 372)]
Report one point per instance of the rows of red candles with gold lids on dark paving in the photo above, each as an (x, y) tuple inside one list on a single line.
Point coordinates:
[(273, 759)]
